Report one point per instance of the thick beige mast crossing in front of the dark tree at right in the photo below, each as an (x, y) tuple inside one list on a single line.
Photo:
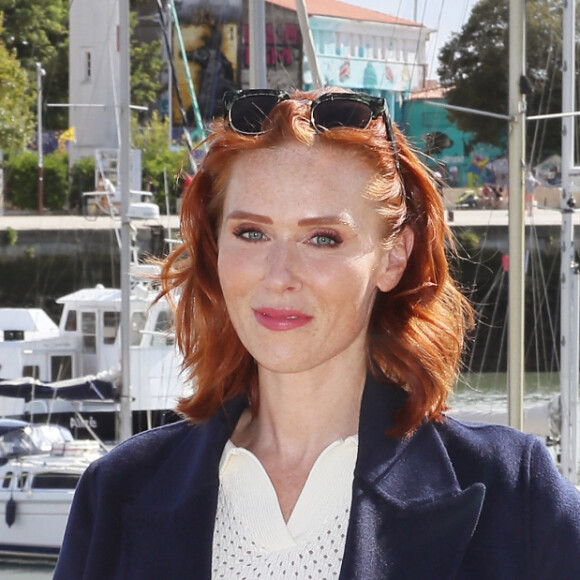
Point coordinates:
[(517, 132)]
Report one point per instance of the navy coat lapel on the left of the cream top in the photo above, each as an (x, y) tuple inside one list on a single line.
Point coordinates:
[(178, 506)]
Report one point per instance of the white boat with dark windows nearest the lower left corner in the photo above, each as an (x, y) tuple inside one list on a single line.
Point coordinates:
[(40, 466)]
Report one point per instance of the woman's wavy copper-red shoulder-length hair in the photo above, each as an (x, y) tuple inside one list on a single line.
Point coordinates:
[(417, 330)]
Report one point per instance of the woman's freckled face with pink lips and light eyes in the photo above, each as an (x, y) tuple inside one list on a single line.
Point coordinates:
[(300, 256)]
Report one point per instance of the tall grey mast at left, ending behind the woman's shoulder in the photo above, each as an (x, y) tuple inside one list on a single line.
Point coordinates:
[(125, 421)]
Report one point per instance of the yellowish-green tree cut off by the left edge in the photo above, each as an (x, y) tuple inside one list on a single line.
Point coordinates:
[(16, 126)]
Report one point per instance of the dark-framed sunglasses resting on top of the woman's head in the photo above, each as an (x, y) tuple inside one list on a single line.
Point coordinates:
[(247, 110)]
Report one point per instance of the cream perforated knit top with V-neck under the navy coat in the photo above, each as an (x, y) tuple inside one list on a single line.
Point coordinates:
[(251, 539)]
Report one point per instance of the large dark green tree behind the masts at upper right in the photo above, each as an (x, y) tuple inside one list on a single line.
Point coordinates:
[(474, 65)]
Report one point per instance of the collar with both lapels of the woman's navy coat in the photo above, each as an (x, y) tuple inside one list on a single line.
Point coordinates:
[(409, 516)]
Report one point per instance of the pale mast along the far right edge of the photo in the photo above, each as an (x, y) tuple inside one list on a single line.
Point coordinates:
[(569, 283)]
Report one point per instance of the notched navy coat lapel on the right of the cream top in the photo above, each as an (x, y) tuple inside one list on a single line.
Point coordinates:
[(409, 517)]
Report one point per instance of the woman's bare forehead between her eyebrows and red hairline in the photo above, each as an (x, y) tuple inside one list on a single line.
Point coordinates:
[(296, 176)]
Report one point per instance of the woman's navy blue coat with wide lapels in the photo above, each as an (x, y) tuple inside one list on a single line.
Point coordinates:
[(455, 500)]
